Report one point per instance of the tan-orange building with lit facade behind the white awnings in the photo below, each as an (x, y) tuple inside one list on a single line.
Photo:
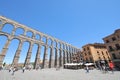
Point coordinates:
[(95, 52)]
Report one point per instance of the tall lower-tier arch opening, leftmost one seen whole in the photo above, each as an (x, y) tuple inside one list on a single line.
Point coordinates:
[(11, 51)]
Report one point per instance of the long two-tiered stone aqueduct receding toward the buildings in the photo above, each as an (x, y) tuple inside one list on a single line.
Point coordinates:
[(58, 54)]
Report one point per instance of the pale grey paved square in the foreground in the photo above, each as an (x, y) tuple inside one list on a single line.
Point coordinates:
[(62, 74)]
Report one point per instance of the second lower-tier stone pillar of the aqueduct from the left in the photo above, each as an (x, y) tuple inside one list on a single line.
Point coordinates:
[(17, 54)]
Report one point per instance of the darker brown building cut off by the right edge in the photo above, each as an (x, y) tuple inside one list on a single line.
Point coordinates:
[(112, 43)]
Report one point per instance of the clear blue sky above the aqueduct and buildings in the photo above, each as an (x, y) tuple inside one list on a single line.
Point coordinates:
[(77, 22)]
